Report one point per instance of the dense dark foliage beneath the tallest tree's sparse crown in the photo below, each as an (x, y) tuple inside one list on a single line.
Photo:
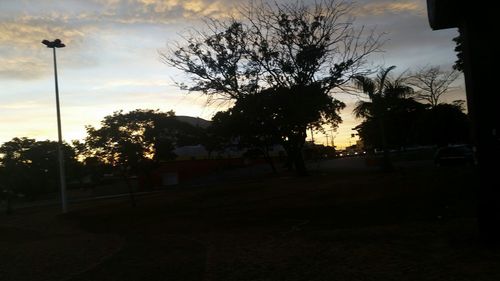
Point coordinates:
[(278, 116)]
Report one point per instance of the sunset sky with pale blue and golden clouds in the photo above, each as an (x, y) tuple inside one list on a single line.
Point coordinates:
[(112, 61)]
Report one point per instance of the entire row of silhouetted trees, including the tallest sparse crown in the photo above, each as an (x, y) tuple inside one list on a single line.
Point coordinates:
[(278, 66)]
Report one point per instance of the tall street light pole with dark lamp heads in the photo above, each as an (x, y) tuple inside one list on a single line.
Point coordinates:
[(62, 178)]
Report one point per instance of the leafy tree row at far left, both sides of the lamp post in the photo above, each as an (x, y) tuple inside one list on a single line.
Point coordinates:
[(125, 144)]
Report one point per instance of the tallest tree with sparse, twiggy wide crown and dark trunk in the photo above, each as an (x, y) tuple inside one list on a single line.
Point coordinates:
[(292, 50)]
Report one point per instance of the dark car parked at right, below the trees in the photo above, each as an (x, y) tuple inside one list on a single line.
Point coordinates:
[(456, 155)]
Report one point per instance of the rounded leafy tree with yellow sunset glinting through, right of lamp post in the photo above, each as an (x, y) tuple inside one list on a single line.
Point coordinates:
[(130, 139)]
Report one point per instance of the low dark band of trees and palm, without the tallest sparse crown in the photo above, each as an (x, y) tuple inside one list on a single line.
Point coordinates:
[(136, 142)]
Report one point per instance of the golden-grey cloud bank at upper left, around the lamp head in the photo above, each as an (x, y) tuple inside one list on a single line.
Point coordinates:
[(82, 25)]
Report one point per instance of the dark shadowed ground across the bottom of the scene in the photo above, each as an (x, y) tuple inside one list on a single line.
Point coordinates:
[(411, 224)]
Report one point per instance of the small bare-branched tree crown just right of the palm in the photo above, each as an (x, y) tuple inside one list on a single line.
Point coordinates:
[(431, 83)]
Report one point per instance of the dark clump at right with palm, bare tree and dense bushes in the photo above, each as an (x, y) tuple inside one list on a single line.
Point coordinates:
[(392, 118)]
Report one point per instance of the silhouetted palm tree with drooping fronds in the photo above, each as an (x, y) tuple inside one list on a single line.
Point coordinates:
[(384, 95)]
